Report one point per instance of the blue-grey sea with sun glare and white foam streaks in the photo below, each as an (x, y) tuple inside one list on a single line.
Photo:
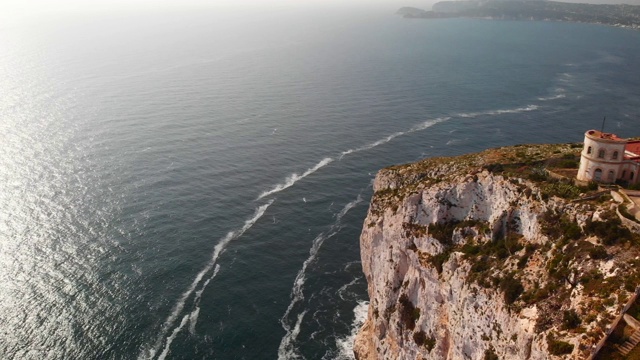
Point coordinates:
[(192, 184)]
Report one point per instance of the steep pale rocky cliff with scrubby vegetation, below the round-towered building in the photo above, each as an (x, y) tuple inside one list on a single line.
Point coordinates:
[(486, 256)]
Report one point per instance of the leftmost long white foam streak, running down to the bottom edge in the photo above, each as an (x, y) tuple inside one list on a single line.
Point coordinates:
[(177, 309)]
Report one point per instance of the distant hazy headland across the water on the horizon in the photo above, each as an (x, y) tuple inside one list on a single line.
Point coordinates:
[(619, 15)]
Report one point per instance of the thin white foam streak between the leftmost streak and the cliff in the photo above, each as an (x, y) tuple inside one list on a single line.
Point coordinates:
[(286, 349)]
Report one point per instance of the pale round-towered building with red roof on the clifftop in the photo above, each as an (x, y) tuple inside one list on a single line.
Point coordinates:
[(606, 158)]
